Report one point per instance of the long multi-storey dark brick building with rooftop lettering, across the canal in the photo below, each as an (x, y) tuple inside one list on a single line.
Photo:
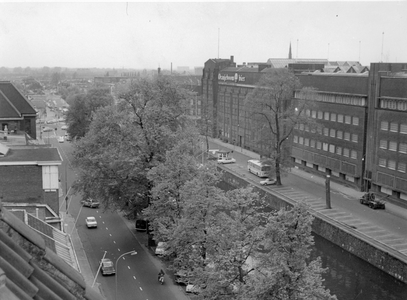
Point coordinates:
[(362, 137)]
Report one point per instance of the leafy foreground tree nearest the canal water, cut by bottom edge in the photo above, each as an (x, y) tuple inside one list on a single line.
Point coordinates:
[(284, 270)]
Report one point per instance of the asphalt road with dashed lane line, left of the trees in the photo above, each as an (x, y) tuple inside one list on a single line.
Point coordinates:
[(136, 275)]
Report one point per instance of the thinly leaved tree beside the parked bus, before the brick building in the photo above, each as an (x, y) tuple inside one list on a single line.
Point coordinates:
[(275, 114)]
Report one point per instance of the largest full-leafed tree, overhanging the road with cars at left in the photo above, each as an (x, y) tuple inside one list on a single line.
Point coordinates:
[(125, 141)]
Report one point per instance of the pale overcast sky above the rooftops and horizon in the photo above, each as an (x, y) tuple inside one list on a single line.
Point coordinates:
[(153, 34)]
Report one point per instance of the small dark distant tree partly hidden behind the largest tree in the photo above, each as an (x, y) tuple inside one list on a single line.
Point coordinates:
[(79, 115)]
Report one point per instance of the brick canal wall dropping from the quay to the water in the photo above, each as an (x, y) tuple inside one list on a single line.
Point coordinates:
[(372, 251)]
